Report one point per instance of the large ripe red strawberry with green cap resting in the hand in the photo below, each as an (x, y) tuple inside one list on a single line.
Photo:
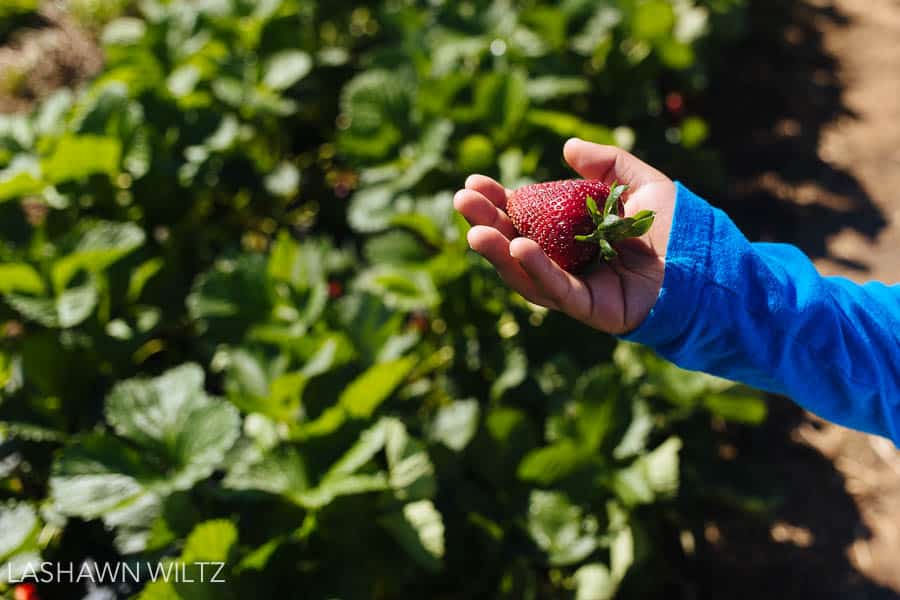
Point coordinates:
[(563, 218)]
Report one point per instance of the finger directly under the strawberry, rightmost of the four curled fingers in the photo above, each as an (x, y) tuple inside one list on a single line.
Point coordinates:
[(569, 293)]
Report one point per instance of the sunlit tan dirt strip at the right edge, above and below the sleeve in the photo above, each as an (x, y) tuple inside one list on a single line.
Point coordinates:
[(868, 147)]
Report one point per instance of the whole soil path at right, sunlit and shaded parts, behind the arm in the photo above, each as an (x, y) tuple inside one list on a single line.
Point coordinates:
[(812, 131)]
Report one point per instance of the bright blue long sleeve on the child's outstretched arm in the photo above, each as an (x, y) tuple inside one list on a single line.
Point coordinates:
[(761, 314)]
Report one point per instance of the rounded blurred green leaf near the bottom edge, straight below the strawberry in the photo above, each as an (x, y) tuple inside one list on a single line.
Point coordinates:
[(560, 528)]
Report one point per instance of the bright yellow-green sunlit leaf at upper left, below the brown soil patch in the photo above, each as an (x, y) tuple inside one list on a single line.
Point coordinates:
[(77, 156)]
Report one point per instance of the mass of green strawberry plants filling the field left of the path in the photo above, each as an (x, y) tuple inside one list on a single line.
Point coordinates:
[(240, 322)]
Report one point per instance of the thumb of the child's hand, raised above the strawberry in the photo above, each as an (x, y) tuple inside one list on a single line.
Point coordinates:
[(608, 163)]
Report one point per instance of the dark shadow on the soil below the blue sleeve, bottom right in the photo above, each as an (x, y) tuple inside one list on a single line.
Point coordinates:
[(746, 563)]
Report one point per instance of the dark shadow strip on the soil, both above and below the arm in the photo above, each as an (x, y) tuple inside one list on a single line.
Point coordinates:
[(776, 93)]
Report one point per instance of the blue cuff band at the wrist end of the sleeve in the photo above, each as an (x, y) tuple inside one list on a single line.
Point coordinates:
[(687, 259)]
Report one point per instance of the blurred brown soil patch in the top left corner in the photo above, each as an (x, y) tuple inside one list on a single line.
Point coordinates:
[(48, 53)]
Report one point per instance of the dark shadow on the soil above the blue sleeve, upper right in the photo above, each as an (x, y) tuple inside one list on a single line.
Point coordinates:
[(768, 107)]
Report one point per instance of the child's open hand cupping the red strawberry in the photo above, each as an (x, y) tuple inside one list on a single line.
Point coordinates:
[(614, 297)]
